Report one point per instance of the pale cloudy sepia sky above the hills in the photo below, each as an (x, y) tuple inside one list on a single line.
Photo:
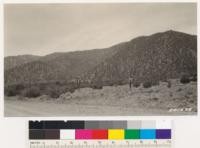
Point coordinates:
[(41, 29)]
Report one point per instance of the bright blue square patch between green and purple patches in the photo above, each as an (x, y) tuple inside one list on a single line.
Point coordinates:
[(147, 134)]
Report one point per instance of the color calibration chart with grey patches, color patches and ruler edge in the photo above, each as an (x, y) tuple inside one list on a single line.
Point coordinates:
[(100, 134)]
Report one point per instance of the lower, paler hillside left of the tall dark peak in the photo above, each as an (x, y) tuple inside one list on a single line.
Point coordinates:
[(55, 67)]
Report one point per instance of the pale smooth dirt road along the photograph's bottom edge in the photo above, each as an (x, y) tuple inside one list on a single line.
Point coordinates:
[(36, 109)]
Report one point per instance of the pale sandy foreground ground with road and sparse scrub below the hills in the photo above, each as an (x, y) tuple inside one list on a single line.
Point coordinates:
[(179, 99)]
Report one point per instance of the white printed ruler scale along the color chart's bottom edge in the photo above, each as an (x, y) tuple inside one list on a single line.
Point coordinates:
[(102, 144)]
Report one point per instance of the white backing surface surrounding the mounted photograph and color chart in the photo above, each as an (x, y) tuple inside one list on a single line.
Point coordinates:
[(14, 131)]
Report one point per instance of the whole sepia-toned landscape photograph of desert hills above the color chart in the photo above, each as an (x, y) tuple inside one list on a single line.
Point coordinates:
[(100, 59)]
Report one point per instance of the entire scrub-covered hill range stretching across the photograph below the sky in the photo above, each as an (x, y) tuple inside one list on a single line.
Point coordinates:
[(148, 58)]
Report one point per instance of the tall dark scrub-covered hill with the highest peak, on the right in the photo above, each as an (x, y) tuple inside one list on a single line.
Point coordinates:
[(152, 58)]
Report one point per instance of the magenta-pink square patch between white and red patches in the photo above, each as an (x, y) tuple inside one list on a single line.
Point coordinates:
[(83, 134)]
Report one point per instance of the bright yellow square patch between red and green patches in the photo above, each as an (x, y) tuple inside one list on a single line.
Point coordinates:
[(115, 134)]
